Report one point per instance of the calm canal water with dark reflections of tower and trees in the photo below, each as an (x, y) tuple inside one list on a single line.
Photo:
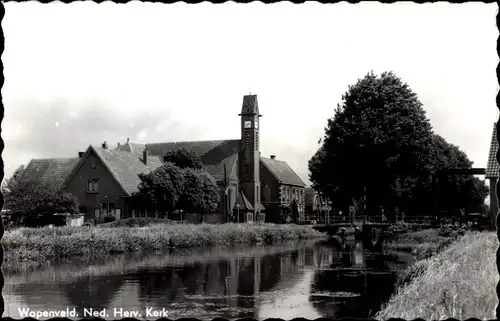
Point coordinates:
[(308, 280)]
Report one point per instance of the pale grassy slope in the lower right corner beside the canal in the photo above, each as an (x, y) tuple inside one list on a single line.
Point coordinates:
[(458, 282)]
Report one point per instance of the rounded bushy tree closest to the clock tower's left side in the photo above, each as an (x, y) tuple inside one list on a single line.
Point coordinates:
[(200, 193)]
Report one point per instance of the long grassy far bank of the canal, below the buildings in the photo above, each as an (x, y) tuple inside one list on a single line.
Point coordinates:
[(32, 247)]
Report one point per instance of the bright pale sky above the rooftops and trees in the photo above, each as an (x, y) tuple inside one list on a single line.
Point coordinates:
[(83, 73)]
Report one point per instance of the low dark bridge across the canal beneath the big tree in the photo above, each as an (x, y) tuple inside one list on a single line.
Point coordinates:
[(371, 232)]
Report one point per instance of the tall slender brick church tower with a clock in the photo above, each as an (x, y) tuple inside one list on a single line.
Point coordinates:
[(249, 154)]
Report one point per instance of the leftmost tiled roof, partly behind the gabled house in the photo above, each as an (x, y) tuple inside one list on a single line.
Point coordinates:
[(53, 171)]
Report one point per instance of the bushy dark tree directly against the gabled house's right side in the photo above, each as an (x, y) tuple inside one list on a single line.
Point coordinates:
[(161, 189)]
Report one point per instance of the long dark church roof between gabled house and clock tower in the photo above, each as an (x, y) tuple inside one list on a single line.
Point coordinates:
[(214, 154)]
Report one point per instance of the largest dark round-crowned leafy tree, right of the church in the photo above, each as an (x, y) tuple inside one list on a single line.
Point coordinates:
[(378, 135)]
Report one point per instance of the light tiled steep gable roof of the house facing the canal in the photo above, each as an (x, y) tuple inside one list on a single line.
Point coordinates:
[(125, 167)]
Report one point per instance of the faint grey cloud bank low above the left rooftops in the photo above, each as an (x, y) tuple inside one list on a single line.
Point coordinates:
[(61, 128)]
